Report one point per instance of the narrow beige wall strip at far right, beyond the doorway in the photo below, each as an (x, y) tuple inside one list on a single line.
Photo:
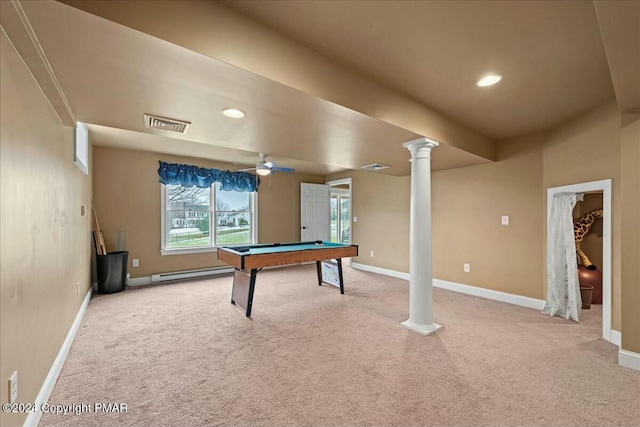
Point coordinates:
[(630, 250)]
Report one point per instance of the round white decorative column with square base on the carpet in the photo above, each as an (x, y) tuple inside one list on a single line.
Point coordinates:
[(420, 270)]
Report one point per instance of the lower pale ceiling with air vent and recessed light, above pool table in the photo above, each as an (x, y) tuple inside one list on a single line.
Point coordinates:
[(112, 75)]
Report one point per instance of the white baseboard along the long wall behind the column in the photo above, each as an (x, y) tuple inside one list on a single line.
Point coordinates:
[(464, 289)]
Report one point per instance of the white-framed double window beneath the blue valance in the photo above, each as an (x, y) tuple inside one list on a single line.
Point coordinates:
[(199, 219)]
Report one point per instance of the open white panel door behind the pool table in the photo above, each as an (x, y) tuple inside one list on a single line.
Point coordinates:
[(314, 212)]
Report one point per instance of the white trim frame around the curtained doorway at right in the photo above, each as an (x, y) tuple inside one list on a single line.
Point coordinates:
[(585, 187)]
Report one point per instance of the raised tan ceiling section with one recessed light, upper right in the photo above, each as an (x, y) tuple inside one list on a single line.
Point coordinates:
[(550, 54)]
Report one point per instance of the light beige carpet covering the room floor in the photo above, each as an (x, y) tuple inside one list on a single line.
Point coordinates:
[(181, 355)]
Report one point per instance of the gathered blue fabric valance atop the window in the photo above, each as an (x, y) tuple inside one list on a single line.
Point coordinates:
[(189, 176)]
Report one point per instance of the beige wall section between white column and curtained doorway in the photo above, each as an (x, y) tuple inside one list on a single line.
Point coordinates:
[(468, 205)]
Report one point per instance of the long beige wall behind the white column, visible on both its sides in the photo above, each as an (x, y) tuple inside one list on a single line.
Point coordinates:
[(462, 199)]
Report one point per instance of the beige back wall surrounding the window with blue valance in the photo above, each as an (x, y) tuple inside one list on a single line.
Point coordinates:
[(127, 198)]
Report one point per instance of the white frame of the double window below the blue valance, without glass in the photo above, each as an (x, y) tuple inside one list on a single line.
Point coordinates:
[(164, 226)]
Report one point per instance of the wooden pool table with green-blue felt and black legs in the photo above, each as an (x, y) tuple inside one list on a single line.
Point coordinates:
[(249, 260)]
